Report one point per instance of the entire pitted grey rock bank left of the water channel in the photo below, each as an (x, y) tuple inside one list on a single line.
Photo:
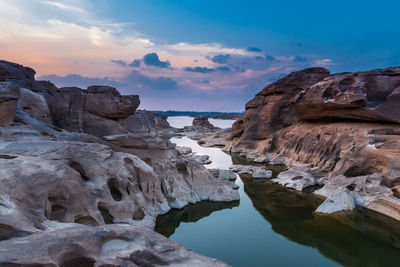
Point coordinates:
[(83, 177)]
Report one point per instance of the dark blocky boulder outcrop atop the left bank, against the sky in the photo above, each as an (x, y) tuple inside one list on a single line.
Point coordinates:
[(93, 112)]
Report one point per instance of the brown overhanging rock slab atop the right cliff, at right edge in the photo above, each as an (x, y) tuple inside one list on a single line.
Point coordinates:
[(371, 95)]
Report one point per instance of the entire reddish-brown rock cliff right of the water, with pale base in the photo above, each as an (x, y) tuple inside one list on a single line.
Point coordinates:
[(341, 128)]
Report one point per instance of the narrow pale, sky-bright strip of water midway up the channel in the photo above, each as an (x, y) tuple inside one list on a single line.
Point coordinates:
[(219, 159)]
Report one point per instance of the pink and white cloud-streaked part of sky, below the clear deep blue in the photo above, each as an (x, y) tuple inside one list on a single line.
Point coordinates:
[(69, 44)]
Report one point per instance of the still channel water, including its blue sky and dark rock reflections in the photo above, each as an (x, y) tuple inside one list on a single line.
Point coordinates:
[(274, 226)]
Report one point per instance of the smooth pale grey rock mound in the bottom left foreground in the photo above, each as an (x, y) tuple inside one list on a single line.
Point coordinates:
[(111, 245)]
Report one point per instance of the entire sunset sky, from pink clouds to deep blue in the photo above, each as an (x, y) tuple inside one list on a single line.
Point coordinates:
[(195, 55)]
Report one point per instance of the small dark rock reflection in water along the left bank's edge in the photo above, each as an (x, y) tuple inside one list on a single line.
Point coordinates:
[(167, 223)]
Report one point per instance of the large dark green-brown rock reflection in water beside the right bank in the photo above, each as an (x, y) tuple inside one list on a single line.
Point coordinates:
[(358, 239)]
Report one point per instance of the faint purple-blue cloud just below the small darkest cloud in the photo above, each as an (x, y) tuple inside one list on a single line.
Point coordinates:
[(141, 81)]
